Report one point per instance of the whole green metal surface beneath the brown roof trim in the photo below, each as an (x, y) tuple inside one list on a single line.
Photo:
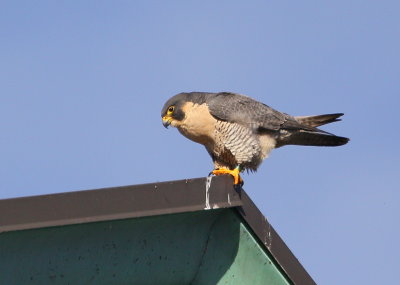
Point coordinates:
[(206, 247)]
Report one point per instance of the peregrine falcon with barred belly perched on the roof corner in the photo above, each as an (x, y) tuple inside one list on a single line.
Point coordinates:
[(240, 132)]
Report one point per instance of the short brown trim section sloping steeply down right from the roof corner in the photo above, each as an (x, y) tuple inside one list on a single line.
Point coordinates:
[(273, 242)]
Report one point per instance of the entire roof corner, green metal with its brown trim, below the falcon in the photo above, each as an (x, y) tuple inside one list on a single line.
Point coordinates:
[(180, 232)]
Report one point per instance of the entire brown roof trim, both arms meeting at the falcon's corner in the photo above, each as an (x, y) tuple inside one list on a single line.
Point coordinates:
[(148, 200)]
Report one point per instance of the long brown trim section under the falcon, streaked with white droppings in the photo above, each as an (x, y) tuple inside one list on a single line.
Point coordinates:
[(117, 203)]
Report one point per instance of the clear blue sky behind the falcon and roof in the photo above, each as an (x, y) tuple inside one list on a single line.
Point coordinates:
[(82, 84)]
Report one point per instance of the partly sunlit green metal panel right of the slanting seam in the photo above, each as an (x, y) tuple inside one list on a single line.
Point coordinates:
[(250, 264)]
